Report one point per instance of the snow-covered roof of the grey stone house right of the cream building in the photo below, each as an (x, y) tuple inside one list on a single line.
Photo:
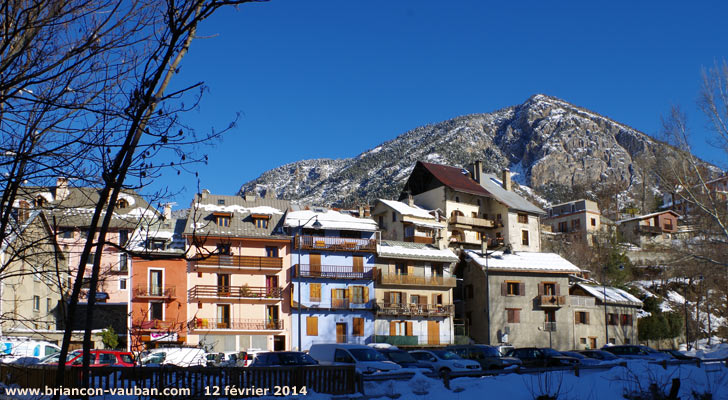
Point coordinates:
[(523, 261)]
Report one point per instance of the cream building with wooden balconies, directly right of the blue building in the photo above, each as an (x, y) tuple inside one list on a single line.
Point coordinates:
[(413, 290)]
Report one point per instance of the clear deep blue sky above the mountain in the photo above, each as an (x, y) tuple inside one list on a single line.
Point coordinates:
[(330, 79)]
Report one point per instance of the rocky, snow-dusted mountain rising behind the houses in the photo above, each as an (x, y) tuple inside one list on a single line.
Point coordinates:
[(545, 141)]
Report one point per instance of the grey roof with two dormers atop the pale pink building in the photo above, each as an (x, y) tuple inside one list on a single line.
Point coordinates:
[(201, 219)]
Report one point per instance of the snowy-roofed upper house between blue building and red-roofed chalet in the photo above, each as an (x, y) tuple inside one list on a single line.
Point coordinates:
[(406, 222)]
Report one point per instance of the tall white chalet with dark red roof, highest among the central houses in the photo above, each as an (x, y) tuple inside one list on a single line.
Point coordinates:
[(478, 206)]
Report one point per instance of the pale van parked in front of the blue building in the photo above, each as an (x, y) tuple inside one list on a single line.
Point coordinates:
[(365, 359)]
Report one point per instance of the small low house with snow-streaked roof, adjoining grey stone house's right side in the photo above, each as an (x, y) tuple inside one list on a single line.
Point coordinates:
[(590, 316)]
